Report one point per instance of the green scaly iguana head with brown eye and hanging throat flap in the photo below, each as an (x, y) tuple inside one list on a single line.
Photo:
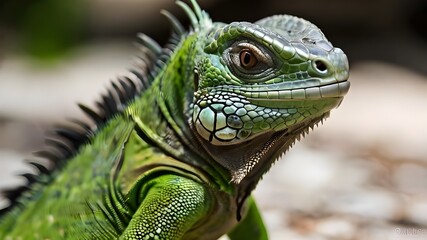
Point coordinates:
[(259, 86)]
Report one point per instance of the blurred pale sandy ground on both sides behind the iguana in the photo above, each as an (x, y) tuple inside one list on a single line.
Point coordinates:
[(362, 175)]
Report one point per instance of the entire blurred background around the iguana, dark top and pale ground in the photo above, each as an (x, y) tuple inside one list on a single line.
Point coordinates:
[(360, 176)]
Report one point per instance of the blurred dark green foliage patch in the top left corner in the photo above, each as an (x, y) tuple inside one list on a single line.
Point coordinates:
[(45, 29)]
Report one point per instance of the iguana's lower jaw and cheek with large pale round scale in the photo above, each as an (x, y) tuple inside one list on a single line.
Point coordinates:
[(227, 115)]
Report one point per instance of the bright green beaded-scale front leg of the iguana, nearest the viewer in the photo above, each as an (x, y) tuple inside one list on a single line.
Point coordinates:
[(170, 206)]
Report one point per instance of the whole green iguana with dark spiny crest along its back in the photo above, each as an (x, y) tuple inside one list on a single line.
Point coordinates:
[(181, 141)]
